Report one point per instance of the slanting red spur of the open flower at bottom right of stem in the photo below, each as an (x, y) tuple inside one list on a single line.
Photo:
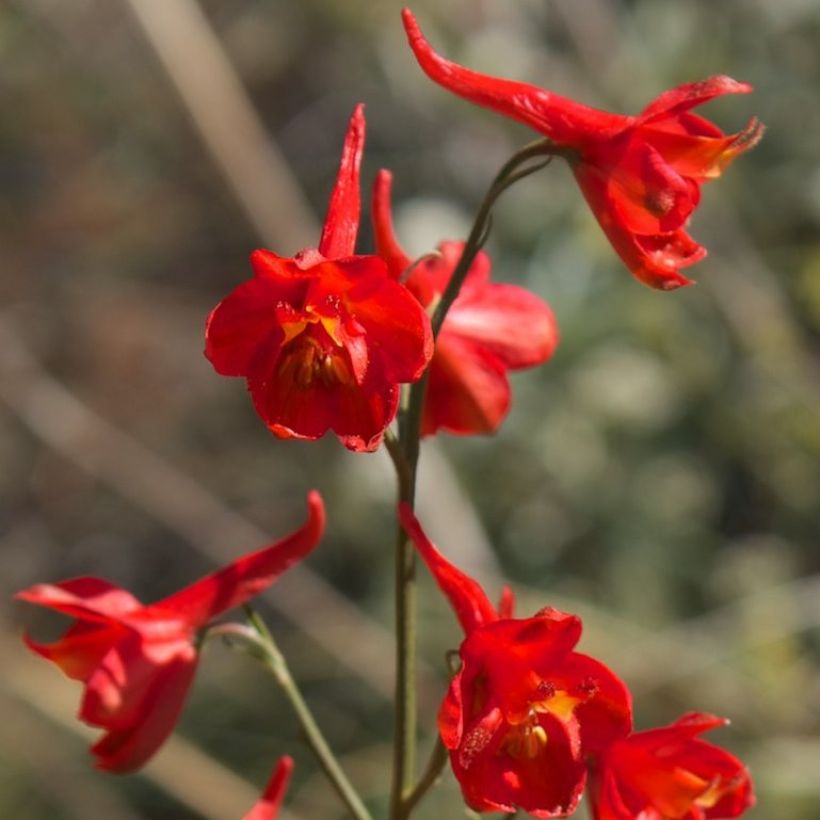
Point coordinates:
[(470, 603)]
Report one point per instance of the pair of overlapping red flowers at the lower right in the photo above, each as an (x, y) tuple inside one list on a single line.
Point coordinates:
[(526, 718)]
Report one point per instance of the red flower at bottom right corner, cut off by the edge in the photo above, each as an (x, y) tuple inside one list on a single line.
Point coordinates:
[(668, 774)]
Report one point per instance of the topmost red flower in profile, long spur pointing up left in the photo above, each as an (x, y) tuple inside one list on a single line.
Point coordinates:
[(640, 175)]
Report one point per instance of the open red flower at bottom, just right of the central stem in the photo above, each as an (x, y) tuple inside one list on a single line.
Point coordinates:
[(524, 709)]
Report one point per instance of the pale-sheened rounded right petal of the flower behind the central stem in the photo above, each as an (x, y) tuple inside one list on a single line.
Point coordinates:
[(513, 323)]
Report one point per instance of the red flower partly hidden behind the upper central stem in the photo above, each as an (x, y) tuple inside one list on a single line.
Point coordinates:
[(489, 329)]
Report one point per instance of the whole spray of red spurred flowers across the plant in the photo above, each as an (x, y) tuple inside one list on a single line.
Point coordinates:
[(327, 341)]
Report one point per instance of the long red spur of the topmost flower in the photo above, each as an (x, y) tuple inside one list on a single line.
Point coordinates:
[(563, 120)]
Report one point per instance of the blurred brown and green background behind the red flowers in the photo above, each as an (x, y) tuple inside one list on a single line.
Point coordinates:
[(660, 477)]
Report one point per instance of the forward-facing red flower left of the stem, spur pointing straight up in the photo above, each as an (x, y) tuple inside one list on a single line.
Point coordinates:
[(325, 338)]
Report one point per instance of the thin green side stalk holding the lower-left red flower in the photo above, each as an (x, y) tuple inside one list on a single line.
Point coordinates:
[(260, 642)]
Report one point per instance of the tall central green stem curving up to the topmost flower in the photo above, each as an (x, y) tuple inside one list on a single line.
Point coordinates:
[(405, 455)]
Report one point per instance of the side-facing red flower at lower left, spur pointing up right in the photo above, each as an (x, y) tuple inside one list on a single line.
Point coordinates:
[(137, 662)]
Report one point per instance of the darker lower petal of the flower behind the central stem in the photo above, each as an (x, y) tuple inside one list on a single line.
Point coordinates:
[(467, 389)]
